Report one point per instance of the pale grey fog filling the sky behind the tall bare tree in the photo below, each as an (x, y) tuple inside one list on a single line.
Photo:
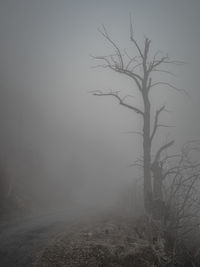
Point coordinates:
[(60, 145)]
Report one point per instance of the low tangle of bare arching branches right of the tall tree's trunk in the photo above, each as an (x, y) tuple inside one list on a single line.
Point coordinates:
[(178, 181)]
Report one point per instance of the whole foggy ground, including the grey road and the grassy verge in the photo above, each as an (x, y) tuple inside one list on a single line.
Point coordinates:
[(67, 238)]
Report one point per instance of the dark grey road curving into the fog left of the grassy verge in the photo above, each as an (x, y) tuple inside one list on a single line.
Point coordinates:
[(21, 242)]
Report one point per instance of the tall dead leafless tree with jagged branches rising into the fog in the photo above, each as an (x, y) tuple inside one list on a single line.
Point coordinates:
[(140, 69)]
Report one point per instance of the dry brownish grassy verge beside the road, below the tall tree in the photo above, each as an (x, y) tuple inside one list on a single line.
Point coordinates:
[(106, 242)]
